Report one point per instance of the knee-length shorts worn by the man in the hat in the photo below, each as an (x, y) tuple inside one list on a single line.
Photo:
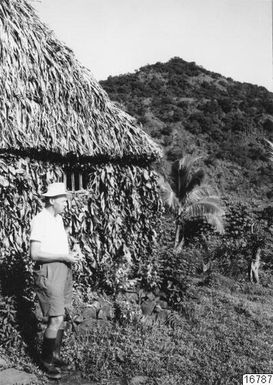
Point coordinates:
[(53, 284)]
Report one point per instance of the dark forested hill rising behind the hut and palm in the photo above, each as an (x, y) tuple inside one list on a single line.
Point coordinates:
[(188, 109)]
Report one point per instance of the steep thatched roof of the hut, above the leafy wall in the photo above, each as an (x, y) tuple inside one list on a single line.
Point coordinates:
[(50, 103)]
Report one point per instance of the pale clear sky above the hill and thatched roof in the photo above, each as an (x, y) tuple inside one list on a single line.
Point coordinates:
[(113, 37)]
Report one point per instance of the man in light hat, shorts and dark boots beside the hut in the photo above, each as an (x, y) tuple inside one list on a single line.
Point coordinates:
[(53, 278)]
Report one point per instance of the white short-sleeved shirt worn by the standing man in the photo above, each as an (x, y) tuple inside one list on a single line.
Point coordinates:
[(49, 230)]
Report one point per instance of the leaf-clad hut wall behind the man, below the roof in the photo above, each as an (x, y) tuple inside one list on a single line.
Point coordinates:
[(114, 220)]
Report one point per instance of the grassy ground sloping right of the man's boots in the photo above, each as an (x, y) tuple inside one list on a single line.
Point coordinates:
[(223, 333)]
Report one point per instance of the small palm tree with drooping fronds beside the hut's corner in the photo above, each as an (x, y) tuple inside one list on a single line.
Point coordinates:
[(189, 197)]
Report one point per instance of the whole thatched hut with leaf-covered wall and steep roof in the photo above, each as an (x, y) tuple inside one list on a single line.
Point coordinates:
[(57, 123)]
